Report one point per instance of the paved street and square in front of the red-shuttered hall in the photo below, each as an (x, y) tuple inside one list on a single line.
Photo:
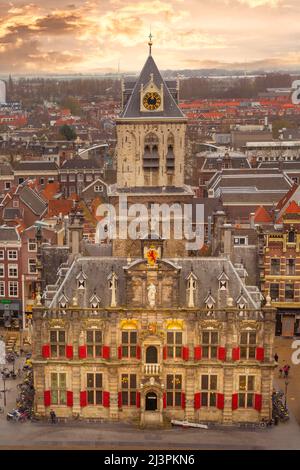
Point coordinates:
[(81, 435)]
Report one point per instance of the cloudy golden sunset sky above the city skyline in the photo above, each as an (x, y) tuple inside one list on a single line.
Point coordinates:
[(93, 36)]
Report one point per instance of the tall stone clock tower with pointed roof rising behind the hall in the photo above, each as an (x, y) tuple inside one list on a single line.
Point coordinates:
[(151, 142)]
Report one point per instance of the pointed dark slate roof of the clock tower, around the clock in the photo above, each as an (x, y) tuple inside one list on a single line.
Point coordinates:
[(170, 107)]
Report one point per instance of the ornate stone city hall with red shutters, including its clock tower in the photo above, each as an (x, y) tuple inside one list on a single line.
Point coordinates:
[(150, 334)]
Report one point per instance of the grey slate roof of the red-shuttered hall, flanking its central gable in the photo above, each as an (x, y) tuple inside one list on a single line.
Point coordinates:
[(97, 270)]
